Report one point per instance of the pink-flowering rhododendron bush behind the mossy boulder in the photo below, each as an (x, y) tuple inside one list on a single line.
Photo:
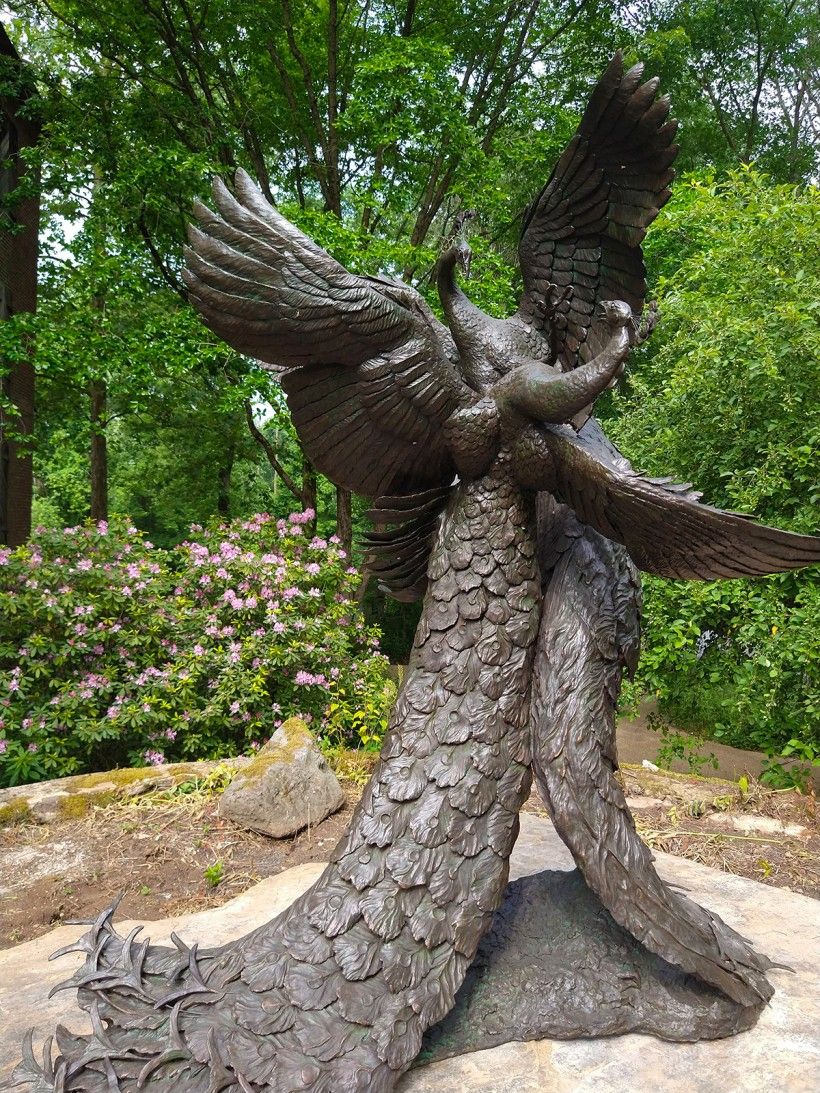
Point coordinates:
[(113, 652)]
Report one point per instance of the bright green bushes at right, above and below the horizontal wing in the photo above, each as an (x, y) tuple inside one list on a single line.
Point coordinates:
[(725, 395)]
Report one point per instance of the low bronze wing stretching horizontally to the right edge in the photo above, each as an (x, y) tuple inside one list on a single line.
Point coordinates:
[(663, 525)]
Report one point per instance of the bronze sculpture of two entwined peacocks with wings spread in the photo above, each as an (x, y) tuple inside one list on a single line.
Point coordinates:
[(500, 500)]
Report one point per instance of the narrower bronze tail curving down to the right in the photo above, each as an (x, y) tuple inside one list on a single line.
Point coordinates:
[(589, 636)]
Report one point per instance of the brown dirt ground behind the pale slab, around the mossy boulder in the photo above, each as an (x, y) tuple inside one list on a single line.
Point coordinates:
[(175, 855)]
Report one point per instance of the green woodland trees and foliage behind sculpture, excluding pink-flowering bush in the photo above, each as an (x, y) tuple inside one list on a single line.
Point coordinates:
[(372, 125)]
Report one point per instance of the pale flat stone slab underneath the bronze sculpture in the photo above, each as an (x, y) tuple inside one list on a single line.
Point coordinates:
[(782, 1053)]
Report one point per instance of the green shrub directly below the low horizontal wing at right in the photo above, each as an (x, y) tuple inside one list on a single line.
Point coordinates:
[(736, 661)]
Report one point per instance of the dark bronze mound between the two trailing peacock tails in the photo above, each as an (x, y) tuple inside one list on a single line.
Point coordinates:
[(557, 966)]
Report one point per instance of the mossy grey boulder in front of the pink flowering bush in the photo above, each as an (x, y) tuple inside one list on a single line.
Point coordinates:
[(286, 789)]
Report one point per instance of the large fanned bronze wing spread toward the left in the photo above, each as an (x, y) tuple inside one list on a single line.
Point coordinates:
[(371, 374)]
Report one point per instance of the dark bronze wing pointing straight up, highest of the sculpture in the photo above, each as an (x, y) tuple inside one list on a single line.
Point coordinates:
[(584, 230)]
